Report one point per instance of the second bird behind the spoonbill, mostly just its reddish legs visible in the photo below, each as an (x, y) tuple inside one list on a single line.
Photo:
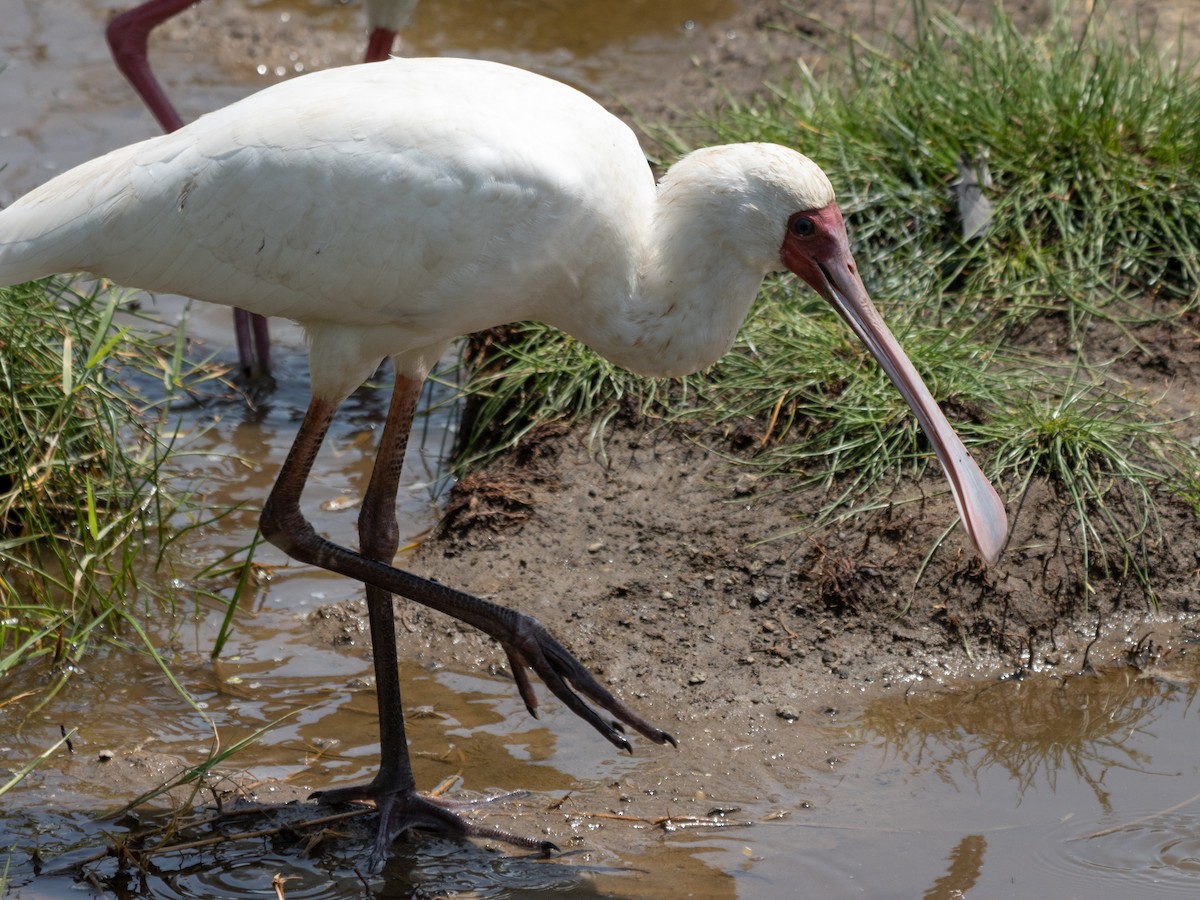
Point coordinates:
[(128, 38)]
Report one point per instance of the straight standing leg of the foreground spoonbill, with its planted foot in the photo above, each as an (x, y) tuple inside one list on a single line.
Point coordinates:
[(394, 789)]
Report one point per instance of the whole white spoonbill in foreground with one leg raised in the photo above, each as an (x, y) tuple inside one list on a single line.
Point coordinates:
[(391, 208)]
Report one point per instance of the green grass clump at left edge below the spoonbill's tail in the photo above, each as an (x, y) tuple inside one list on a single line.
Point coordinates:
[(82, 495)]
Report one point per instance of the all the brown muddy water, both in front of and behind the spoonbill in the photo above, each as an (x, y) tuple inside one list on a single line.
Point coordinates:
[(1046, 788)]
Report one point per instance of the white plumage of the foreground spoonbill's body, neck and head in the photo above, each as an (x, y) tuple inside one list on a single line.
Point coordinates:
[(358, 205)]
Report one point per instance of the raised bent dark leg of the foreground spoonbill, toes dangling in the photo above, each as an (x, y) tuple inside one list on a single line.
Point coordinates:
[(525, 640)]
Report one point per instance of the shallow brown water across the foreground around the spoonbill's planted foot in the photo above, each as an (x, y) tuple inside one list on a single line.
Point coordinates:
[(1047, 788)]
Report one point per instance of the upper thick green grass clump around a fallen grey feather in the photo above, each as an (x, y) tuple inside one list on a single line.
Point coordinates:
[(1091, 141)]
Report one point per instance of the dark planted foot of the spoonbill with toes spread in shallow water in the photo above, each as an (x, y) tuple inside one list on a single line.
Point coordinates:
[(401, 809)]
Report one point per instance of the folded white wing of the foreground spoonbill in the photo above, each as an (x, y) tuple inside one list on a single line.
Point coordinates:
[(411, 194)]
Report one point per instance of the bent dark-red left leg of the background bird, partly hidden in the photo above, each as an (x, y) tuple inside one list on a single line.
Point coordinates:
[(128, 39)]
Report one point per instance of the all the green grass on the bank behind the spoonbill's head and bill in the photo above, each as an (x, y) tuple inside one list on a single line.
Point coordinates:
[(1091, 141)]
